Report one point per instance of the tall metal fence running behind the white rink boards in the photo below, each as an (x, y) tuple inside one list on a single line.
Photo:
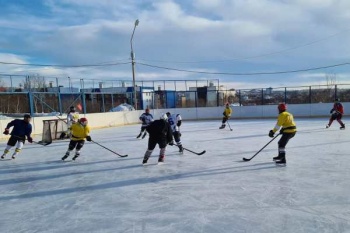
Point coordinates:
[(34, 94)]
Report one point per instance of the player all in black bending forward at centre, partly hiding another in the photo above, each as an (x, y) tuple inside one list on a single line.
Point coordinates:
[(159, 133)]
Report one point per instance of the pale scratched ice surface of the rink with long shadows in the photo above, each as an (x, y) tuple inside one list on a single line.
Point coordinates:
[(214, 192)]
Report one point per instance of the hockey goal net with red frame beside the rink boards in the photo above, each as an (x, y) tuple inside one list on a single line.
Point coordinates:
[(53, 129)]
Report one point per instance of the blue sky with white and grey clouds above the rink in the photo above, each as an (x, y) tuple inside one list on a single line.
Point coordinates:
[(235, 41)]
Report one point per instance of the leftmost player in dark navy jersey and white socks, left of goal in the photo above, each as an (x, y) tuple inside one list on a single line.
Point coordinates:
[(21, 130)]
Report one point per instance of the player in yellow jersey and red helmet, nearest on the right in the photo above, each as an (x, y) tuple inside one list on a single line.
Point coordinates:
[(288, 131)]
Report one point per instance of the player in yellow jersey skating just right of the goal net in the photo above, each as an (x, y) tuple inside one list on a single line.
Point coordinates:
[(80, 130)]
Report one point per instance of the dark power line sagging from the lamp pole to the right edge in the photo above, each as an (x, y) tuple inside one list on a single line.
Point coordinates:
[(257, 73)]
